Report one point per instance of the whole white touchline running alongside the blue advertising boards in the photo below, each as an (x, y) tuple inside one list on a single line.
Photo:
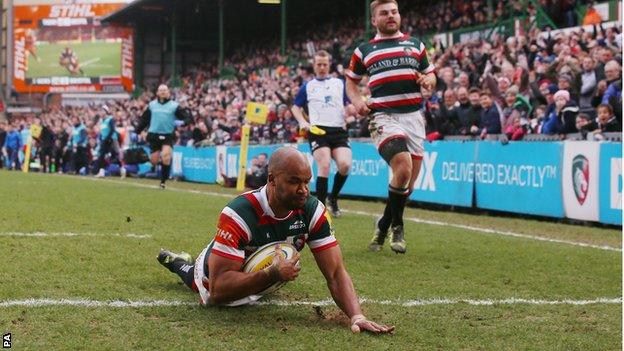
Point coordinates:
[(411, 219)]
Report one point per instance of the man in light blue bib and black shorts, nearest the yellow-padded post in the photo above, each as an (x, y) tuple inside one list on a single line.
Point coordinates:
[(160, 119)]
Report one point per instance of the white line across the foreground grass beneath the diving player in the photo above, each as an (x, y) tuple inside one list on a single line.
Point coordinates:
[(399, 303)]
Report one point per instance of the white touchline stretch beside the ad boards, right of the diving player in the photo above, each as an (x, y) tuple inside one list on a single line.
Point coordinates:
[(494, 231)]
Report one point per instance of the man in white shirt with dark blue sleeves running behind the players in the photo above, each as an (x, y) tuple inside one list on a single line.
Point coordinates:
[(325, 99)]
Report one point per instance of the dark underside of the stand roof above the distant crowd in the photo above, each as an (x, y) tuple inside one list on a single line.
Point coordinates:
[(242, 18)]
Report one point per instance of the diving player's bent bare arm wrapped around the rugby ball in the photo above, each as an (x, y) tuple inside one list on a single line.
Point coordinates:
[(227, 282)]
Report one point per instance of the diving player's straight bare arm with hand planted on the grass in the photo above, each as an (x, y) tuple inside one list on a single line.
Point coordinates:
[(341, 287)]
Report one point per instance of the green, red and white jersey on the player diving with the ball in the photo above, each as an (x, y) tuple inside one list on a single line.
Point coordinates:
[(248, 223)]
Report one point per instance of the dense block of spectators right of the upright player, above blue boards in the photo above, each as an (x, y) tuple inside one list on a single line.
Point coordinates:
[(538, 83)]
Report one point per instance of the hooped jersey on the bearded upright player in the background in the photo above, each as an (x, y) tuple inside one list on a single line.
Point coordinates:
[(391, 65)]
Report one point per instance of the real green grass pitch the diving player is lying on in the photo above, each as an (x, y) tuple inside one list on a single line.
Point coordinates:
[(442, 262)]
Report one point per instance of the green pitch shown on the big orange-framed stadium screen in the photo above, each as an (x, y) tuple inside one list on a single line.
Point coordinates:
[(96, 59)]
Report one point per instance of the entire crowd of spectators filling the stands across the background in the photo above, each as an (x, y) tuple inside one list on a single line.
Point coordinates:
[(537, 83)]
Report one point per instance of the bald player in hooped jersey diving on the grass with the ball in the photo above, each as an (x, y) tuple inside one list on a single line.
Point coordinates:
[(281, 211)]
